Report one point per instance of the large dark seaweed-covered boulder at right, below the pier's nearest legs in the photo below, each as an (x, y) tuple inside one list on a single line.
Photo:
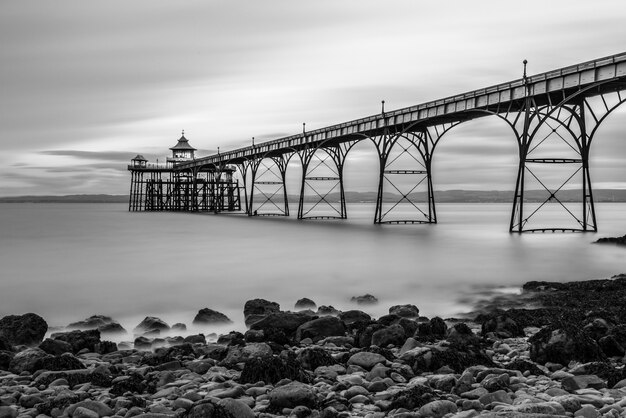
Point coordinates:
[(562, 345)]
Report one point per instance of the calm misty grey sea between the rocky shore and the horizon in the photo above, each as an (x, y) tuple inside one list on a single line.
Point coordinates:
[(68, 261)]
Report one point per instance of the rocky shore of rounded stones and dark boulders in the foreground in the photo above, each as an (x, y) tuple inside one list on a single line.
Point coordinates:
[(558, 350)]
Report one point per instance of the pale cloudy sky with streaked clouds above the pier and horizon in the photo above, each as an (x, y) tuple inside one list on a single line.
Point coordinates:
[(87, 85)]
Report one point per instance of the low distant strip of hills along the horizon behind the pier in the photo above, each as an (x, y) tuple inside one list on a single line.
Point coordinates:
[(441, 196)]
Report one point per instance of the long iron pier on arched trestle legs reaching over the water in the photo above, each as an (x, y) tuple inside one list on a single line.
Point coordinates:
[(553, 117)]
